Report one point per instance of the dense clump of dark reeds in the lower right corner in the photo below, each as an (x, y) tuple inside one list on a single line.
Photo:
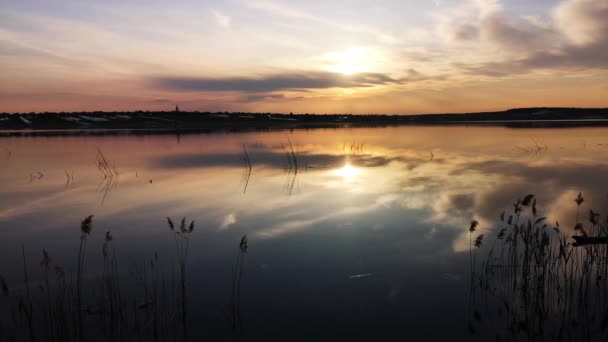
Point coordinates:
[(547, 285)]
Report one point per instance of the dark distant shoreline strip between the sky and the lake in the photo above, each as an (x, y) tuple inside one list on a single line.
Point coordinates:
[(141, 122)]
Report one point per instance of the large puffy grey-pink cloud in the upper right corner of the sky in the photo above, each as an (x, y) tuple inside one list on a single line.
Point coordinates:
[(576, 39)]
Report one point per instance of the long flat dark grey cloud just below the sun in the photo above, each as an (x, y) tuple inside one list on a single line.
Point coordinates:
[(274, 82)]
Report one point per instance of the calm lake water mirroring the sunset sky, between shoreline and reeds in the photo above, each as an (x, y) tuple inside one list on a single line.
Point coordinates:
[(368, 240)]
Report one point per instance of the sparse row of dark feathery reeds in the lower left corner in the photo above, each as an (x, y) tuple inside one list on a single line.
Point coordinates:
[(82, 306)]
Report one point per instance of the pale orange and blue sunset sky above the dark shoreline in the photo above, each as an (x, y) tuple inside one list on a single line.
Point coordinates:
[(389, 56)]
